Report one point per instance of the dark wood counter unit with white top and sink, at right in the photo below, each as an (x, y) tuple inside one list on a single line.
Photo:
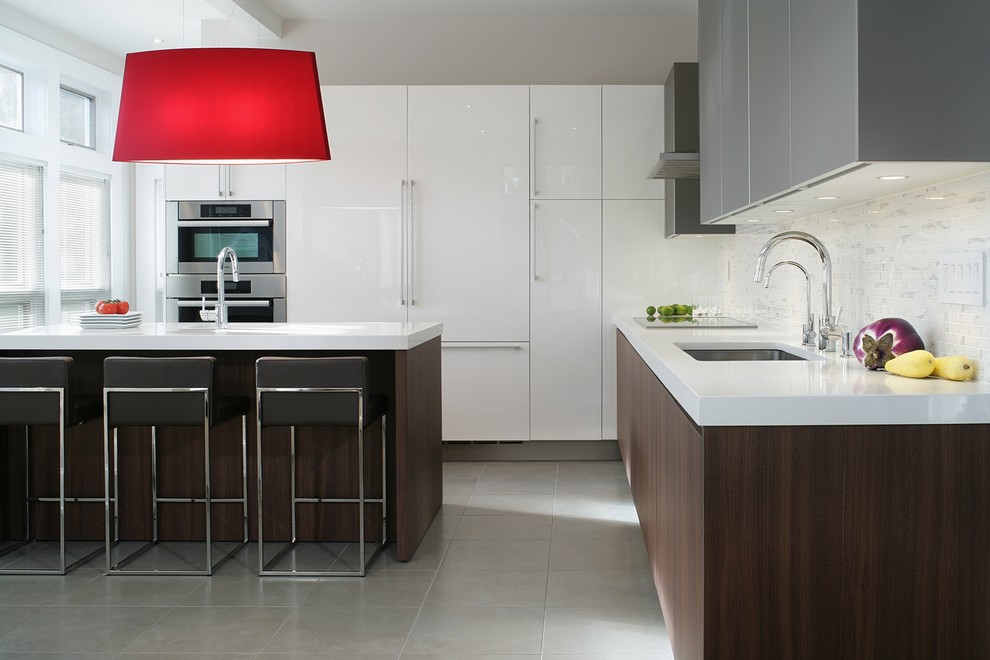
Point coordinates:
[(807, 508)]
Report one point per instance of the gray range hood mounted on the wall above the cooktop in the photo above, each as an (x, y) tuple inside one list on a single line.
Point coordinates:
[(680, 164)]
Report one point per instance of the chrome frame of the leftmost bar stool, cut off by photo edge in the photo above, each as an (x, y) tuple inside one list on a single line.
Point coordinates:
[(63, 424)]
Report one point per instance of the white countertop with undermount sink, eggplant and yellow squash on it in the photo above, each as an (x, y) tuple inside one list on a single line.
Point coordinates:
[(827, 390)]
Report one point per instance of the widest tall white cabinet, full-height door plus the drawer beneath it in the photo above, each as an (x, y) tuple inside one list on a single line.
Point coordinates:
[(468, 234)]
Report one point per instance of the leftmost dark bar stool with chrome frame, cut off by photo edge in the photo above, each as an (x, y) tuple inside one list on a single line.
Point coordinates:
[(39, 391)]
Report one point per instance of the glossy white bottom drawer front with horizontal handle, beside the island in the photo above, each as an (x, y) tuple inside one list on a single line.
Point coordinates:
[(485, 391)]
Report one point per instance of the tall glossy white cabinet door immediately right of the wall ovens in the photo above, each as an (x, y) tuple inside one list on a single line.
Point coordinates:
[(344, 218)]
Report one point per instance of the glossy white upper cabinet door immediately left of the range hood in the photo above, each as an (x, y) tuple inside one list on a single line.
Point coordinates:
[(632, 139)]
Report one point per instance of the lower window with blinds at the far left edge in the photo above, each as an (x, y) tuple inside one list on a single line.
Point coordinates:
[(22, 263)]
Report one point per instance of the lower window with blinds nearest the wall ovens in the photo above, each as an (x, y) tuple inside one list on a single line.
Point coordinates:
[(84, 242)]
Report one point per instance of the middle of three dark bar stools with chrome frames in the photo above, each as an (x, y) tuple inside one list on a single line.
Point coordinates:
[(153, 391)]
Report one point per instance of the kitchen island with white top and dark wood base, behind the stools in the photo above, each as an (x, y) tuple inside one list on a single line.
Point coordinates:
[(404, 361)]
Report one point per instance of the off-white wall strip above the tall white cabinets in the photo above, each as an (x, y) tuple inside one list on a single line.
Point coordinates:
[(497, 50)]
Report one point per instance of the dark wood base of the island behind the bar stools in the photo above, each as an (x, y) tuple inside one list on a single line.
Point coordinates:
[(409, 378)]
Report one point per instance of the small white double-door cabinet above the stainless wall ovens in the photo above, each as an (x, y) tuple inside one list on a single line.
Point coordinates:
[(223, 182)]
